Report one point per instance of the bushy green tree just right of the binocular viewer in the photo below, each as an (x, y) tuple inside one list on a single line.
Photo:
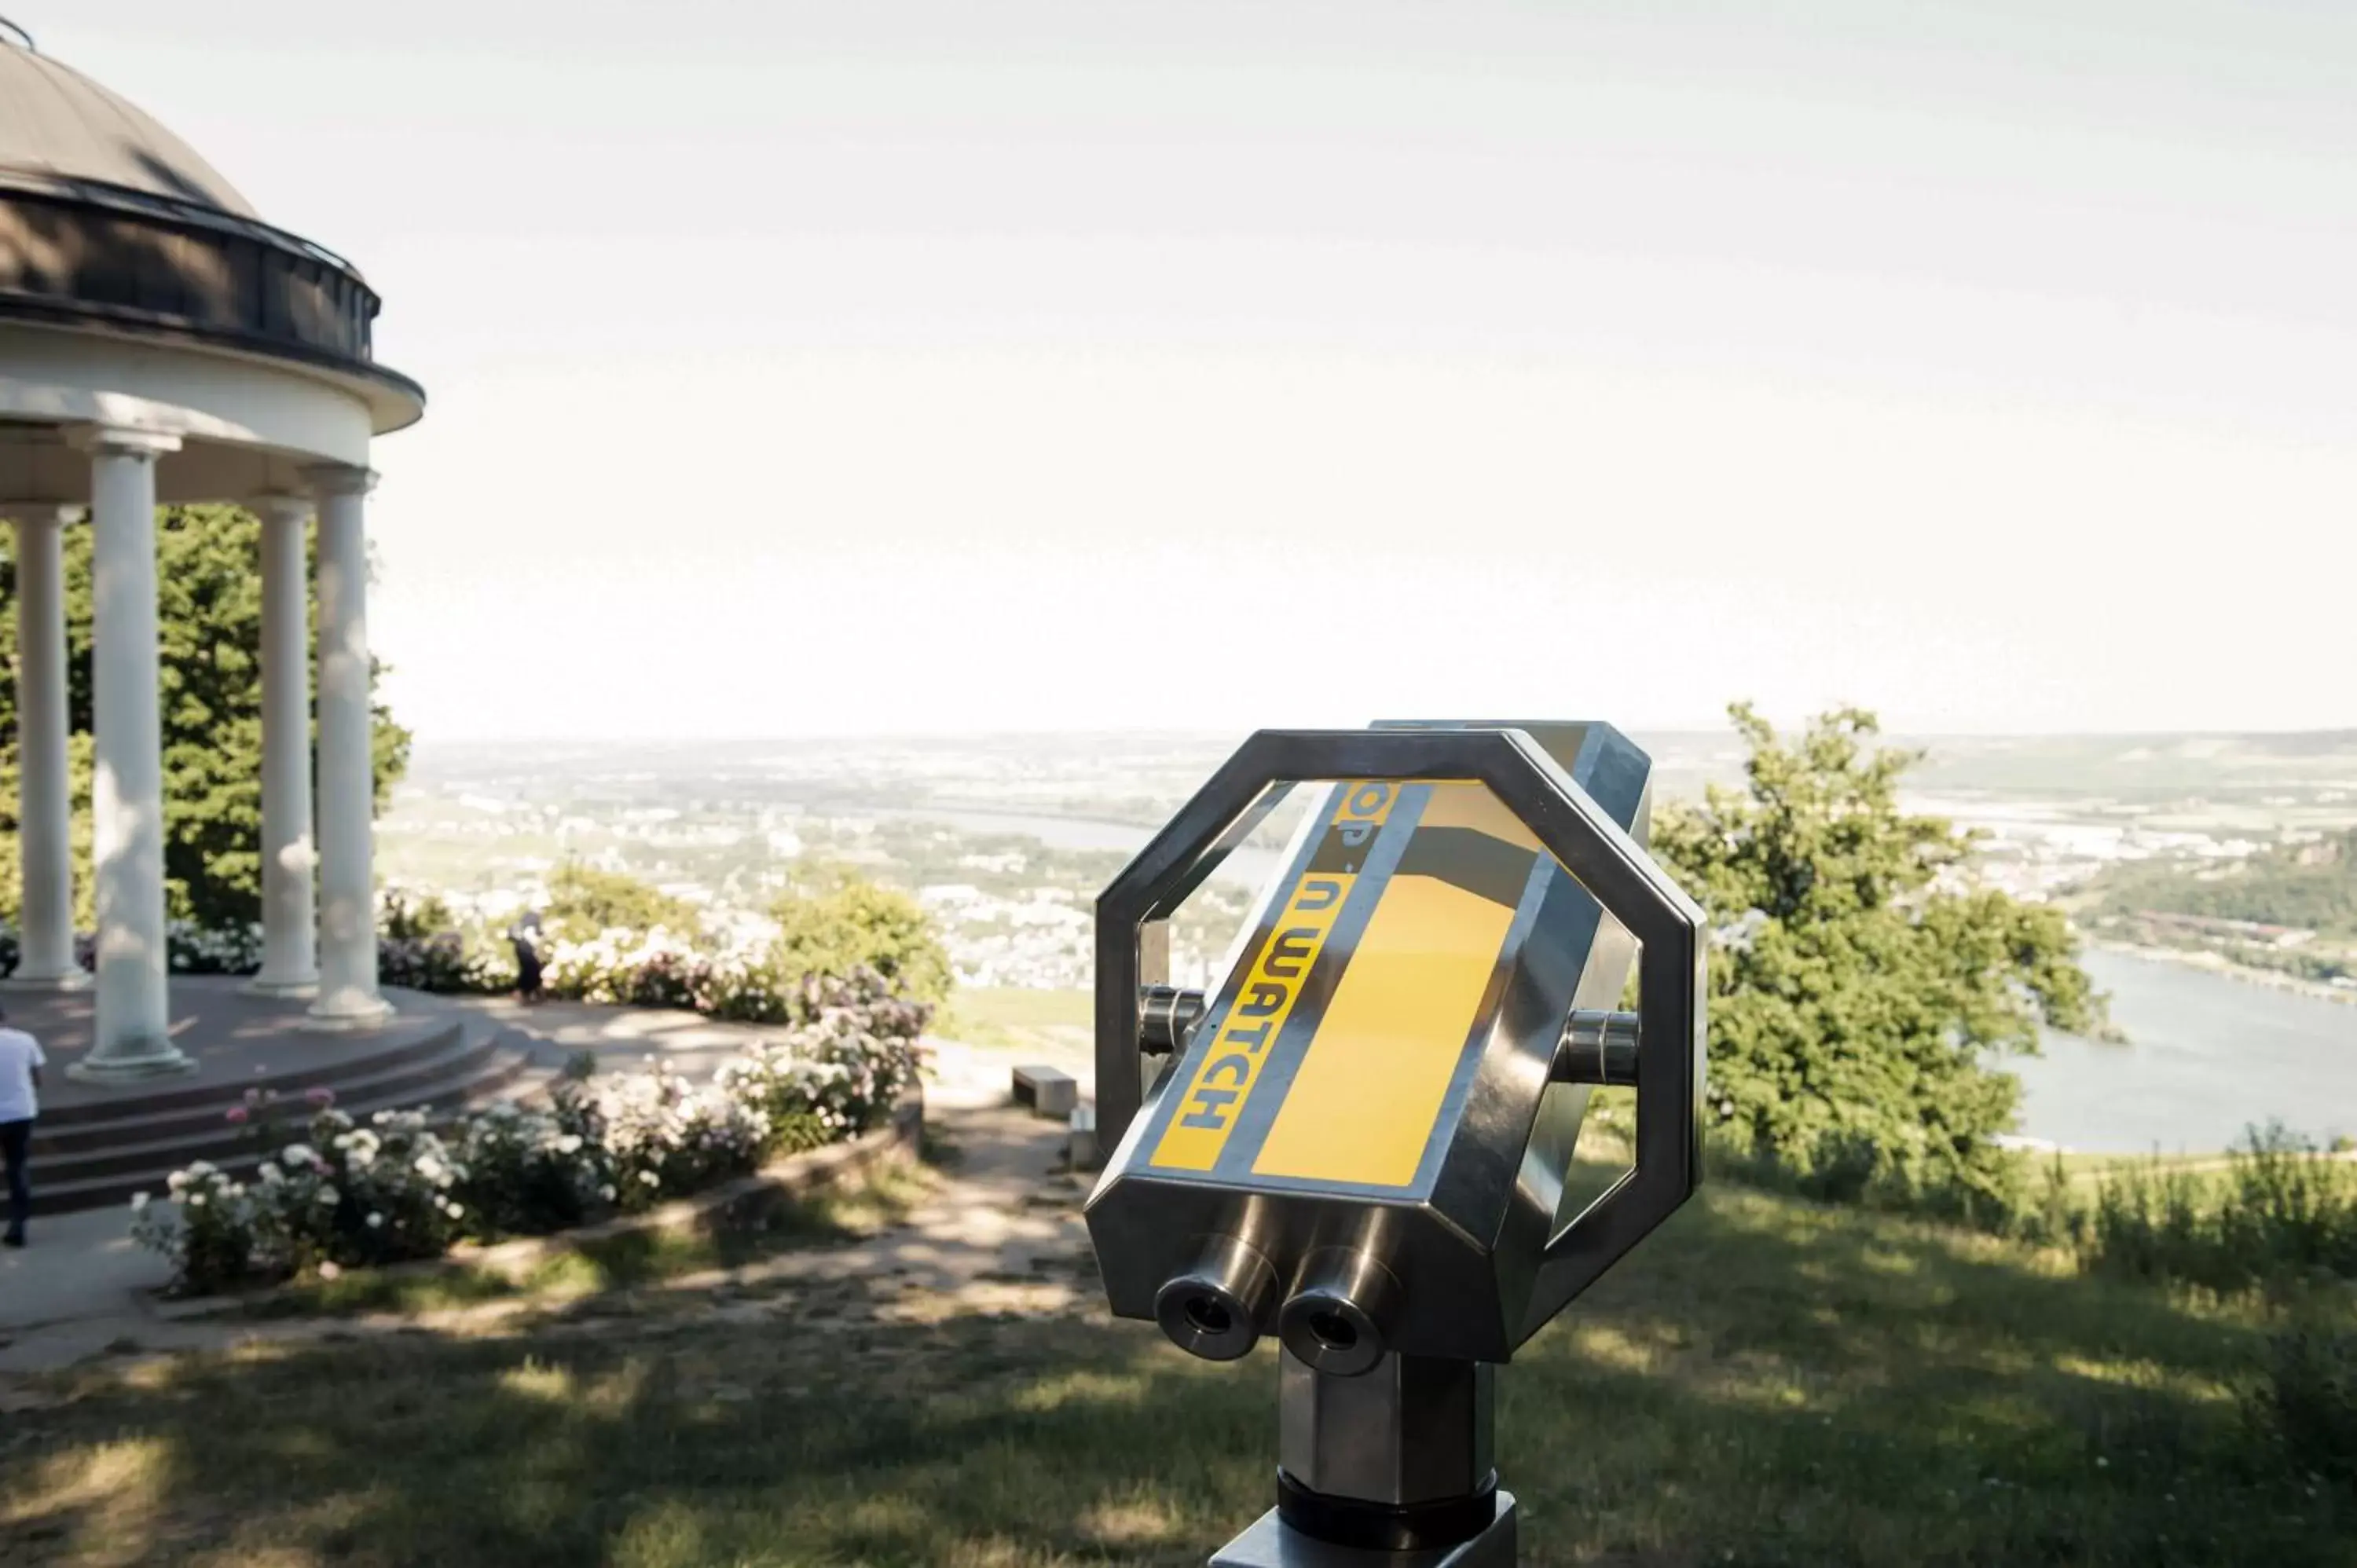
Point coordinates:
[(1861, 984)]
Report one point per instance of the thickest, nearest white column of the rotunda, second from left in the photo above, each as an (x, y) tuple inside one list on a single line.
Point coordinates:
[(126, 793)]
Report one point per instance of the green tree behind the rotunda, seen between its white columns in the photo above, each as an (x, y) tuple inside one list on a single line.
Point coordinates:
[(209, 619)]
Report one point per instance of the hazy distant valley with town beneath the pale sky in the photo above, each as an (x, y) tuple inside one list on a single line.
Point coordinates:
[(1008, 841)]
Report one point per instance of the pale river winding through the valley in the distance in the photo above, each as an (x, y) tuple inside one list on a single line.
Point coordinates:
[(2205, 1055)]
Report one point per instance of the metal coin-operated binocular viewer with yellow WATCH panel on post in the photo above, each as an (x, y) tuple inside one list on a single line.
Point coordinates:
[(1359, 1142)]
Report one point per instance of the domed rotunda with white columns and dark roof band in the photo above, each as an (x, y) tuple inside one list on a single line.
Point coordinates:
[(159, 343)]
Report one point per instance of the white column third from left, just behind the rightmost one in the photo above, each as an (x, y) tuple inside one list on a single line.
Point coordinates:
[(289, 940)]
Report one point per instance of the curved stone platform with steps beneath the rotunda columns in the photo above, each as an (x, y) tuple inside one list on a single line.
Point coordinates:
[(100, 1145)]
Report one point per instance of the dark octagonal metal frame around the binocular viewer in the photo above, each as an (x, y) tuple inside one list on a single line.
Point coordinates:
[(1569, 824)]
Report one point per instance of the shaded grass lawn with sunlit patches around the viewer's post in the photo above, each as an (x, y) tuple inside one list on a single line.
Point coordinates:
[(1764, 1383)]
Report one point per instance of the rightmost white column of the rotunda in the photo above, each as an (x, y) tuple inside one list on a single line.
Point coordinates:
[(348, 928)]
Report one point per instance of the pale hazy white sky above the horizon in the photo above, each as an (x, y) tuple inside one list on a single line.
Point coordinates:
[(885, 367)]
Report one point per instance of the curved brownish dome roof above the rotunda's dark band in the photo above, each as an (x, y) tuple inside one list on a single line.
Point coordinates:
[(58, 124)]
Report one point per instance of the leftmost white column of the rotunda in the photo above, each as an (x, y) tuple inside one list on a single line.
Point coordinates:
[(46, 808)]
